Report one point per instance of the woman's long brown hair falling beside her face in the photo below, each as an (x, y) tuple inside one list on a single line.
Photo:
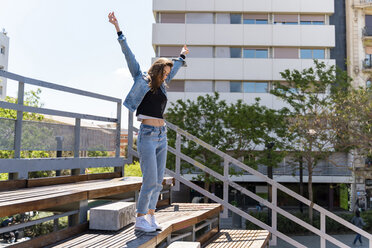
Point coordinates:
[(156, 72)]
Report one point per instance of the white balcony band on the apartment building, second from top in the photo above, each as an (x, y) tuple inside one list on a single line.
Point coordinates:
[(243, 34)]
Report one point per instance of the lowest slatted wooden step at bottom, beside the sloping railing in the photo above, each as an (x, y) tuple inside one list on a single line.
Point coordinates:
[(239, 238)]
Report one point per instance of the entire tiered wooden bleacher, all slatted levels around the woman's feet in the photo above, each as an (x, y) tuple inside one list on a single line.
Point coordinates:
[(180, 221)]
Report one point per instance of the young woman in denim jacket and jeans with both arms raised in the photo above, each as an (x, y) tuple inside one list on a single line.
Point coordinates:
[(149, 97)]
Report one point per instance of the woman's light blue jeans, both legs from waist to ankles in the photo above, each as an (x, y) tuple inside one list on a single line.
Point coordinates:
[(152, 150)]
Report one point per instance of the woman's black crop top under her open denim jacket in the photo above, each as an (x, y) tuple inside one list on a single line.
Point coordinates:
[(153, 104)]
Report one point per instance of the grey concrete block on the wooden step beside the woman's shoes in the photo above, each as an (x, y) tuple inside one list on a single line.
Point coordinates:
[(112, 216)]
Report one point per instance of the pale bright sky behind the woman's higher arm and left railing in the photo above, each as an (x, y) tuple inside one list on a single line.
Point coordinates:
[(71, 43)]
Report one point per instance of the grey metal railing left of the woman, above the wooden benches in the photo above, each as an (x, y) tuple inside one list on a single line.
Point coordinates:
[(19, 168)]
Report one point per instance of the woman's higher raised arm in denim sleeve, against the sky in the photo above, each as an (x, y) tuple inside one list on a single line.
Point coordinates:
[(133, 65)]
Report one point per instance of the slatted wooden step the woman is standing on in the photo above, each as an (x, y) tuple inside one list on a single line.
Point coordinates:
[(178, 222)]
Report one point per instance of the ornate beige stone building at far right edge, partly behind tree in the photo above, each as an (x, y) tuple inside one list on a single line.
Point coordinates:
[(359, 58)]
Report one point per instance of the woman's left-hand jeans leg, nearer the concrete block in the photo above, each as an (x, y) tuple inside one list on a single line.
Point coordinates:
[(147, 153)]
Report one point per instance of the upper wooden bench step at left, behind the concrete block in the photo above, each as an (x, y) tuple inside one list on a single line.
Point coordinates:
[(48, 197)]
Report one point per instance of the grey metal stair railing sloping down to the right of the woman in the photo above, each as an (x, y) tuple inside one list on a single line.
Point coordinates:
[(228, 182)]
